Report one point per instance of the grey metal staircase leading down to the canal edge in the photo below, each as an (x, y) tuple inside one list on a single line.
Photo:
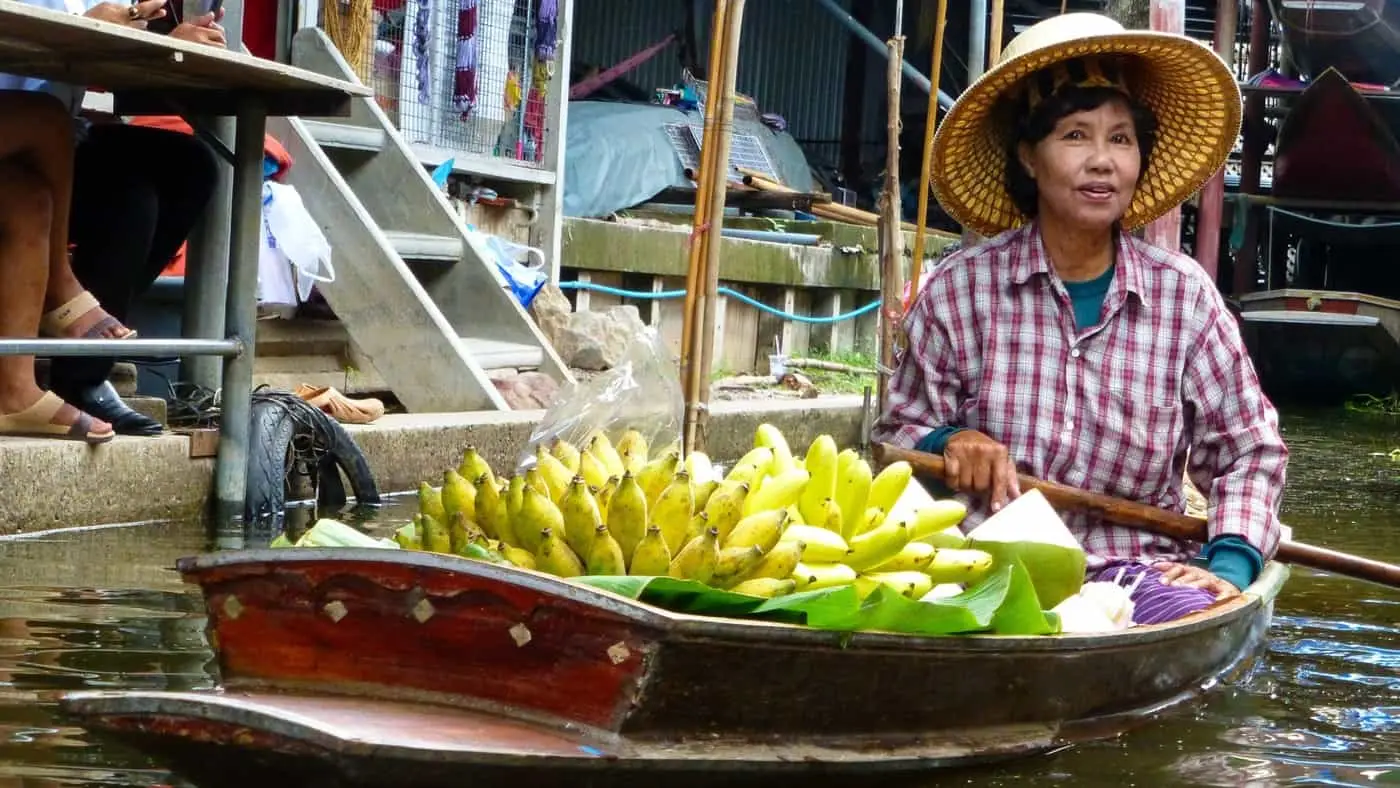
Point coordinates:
[(419, 300)]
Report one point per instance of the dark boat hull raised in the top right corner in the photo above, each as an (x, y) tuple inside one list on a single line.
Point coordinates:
[(1360, 38)]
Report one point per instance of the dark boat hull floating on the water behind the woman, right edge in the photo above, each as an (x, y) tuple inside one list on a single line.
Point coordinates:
[(1322, 348)]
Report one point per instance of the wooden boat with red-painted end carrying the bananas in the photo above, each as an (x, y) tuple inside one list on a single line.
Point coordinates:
[(369, 667)]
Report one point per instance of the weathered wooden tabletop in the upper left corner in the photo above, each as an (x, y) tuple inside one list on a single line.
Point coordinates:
[(47, 44)]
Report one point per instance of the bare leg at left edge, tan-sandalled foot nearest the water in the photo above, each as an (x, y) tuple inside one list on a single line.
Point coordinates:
[(36, 152)]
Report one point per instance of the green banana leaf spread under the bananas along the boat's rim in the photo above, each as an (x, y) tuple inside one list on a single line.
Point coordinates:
[(1003, 604)]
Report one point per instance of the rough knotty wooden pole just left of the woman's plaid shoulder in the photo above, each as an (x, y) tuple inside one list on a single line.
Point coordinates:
[(891, 232)]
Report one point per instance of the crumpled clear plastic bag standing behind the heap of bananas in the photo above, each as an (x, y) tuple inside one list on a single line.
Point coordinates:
[(642, 393)]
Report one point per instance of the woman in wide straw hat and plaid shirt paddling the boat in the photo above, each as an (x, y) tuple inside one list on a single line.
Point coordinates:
[(1067, 349)]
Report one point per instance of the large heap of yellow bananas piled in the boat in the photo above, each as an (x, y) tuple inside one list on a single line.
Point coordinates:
[(773, 526)]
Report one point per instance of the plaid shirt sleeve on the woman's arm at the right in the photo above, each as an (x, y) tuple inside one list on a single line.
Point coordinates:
[(1237, 457)]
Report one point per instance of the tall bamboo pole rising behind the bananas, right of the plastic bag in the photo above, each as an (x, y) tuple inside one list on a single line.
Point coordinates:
[(698, 411)]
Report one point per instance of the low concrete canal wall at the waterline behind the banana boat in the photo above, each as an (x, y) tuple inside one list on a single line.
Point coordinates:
[(51, 485)]
